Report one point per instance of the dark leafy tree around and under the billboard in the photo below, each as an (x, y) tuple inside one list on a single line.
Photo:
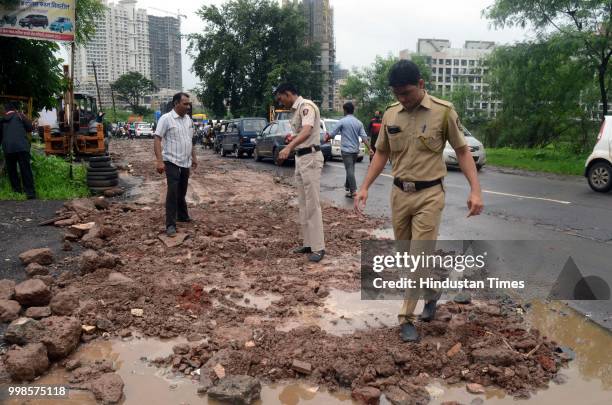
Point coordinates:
[(22, 59)]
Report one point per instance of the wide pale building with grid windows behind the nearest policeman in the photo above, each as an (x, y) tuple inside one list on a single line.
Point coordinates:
[(453, 67)]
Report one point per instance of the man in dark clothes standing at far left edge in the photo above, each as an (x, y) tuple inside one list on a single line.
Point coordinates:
[(14, 127)]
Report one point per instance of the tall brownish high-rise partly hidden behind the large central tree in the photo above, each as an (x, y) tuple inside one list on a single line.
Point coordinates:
[(320, 30)]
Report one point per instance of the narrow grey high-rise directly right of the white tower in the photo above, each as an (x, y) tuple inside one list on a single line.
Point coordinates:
[(165, 50)]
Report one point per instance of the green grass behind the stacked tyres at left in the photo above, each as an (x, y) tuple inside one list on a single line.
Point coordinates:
[(51, 179)]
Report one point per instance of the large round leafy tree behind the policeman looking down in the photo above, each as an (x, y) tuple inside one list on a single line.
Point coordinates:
[(246, 49)]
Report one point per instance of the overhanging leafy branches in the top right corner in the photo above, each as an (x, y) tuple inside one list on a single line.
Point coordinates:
[(587, 22)]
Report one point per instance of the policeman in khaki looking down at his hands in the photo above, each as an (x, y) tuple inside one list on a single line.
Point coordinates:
[(306, 123)]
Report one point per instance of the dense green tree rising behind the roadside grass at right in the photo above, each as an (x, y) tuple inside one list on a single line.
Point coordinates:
[(548, 94)]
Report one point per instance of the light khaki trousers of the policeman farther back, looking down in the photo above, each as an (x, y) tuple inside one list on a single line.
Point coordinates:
[(308, 178)]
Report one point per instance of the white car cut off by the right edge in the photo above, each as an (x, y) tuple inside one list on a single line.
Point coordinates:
[(598, 167)]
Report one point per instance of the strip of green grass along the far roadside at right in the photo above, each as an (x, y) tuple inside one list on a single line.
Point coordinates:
[(540, 160)]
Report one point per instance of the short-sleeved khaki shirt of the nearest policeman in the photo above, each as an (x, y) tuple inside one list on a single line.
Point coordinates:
[(415, 139)]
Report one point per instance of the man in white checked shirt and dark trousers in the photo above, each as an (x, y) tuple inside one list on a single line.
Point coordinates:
[(175, 155)]
